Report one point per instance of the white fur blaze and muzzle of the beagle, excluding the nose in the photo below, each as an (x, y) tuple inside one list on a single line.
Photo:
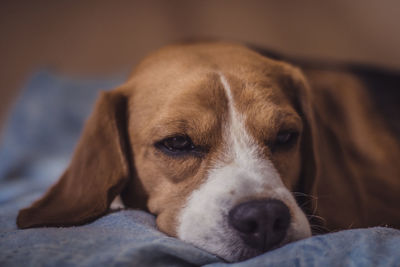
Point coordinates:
[(240, 174)]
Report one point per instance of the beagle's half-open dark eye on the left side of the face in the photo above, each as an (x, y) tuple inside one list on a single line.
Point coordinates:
[(176, 145)]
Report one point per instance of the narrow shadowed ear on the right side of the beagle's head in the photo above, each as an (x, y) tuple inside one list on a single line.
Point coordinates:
[(299, 92)]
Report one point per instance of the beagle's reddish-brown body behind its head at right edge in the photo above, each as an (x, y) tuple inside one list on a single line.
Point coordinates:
[(359, 176)]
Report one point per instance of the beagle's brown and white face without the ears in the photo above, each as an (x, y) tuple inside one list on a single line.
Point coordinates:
[(218, 132)]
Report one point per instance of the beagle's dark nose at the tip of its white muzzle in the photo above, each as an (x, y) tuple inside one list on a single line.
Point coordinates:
[(262, 224)]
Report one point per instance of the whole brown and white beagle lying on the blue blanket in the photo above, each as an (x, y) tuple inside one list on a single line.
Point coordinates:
[(234, 152)]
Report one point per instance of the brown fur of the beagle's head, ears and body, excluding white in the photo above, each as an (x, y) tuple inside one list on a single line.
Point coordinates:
[(345, 157)]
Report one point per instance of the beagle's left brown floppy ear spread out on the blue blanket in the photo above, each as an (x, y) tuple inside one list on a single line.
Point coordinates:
[(97, 173)]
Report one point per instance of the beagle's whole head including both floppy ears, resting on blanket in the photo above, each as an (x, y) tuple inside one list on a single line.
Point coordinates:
[(211, 138)]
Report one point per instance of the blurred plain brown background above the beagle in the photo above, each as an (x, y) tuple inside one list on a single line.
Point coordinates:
[(95, 38)]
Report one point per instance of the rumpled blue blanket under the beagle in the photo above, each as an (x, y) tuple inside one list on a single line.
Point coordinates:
[(36, 146)]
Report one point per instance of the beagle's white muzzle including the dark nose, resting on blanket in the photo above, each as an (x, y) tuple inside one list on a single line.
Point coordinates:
[(241, 217)]
